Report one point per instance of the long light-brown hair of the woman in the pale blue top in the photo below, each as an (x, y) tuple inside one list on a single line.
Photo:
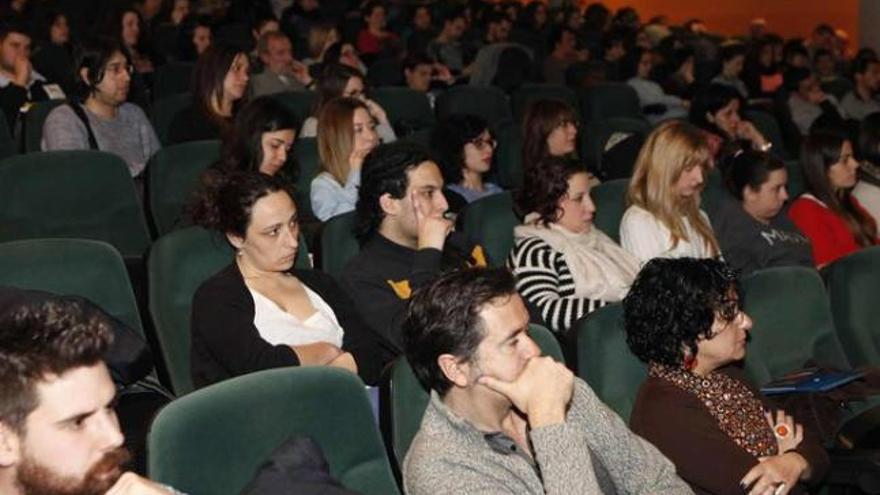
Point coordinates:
[(336, 136)]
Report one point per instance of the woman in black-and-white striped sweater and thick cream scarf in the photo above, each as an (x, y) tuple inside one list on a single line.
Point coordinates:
[(564, 266)]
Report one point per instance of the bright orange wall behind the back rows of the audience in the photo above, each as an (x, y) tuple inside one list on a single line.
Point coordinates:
[(788, 18)]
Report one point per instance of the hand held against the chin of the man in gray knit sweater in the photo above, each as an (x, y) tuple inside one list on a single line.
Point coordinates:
[(542, 391)]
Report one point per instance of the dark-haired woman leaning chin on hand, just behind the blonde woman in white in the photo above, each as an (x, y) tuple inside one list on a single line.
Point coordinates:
[(715, 110)]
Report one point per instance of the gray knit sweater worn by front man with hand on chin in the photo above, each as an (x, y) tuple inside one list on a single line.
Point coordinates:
[(592, 452)]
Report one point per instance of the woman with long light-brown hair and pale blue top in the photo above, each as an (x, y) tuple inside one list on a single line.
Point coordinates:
[(346, 134)]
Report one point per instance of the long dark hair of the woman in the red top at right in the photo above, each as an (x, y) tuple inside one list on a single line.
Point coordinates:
[(820, 151)]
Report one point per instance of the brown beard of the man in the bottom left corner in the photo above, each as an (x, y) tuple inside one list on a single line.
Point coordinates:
[(38, 479)]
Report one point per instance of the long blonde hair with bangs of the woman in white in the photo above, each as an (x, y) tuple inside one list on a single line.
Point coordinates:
[(671, 149)]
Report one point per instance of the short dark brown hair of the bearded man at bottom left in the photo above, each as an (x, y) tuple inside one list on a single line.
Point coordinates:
[(45, 338)]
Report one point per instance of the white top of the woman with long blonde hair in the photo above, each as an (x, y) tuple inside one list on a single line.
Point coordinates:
[(646, 238)]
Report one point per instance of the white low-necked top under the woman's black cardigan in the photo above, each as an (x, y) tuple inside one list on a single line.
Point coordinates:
[(278, 327)]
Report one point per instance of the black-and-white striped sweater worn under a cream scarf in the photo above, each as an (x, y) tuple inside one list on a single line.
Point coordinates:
[(544, 279)]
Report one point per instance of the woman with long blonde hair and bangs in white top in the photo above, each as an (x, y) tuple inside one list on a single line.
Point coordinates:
[(664, 218)]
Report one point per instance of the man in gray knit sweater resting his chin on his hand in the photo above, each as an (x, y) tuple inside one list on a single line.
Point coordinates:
[(502, 419)]
